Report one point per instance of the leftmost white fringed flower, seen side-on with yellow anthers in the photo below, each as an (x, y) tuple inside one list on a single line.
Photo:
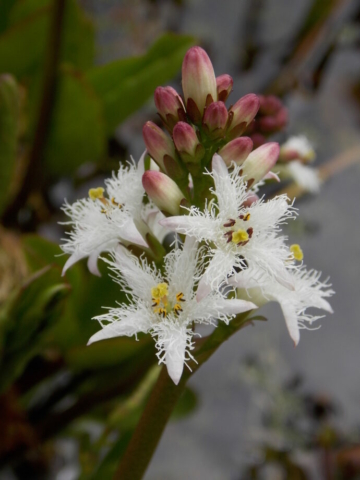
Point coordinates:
[(101, 221)]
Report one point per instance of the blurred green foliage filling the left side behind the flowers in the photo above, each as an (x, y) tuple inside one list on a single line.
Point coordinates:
[(51, 88)]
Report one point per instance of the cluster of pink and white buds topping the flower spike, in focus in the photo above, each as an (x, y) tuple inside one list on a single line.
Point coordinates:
[(199, 124)]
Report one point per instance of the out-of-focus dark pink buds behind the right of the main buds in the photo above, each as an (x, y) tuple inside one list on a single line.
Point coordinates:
[(271, 118)]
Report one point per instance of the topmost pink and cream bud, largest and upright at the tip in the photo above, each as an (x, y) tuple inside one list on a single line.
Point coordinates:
[(198, 82)]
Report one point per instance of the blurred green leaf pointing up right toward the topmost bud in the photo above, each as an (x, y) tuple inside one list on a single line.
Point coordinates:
[(124, 85)]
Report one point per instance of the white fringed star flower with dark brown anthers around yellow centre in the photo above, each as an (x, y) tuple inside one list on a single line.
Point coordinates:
[(237, 234)]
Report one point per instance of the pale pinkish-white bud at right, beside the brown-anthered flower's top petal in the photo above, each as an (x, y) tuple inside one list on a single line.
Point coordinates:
[(260, 162)]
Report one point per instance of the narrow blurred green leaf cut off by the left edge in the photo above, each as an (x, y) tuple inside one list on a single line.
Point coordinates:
[(9, 118)]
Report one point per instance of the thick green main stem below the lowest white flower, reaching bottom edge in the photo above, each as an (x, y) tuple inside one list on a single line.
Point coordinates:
[(150, 428)]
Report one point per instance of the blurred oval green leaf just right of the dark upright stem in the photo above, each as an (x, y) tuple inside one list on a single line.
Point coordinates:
[(77, 129)]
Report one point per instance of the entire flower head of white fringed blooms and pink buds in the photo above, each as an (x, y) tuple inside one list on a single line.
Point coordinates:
[(200, 185)]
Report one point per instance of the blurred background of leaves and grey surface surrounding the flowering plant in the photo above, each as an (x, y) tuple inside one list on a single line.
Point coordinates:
[(76, 84)]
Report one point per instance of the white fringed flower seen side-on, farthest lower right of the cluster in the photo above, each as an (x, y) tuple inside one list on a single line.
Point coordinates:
[(308, 292)]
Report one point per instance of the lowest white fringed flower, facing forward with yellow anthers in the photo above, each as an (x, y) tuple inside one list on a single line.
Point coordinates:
[(165, 305)]
